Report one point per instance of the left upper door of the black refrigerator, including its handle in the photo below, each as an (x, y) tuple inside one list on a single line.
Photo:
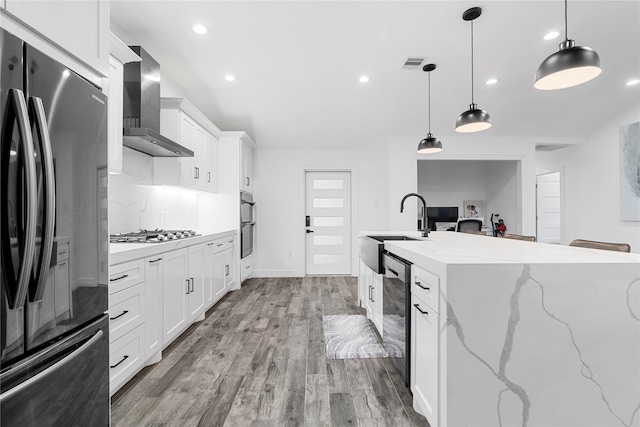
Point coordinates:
[(17, 216)]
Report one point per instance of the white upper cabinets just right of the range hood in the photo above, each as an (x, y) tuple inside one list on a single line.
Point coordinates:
[(182, 122)]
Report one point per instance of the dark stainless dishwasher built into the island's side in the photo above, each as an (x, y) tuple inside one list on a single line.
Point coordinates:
[(396, 312)]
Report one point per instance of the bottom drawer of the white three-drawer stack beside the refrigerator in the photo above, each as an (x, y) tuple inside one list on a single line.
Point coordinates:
[(125, 358)]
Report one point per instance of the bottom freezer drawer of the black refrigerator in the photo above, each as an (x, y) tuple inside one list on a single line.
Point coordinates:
[(63, 385)]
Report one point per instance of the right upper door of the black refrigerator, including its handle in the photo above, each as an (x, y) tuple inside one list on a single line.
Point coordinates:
[(68, 118)]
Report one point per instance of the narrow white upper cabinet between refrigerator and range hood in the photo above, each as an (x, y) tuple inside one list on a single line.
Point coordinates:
[(120, 54)]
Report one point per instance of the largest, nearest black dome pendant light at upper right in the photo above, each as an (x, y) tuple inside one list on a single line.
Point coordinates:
[(570, 66)]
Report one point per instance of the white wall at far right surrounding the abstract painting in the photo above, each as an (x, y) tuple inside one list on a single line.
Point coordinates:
[(592, 186)]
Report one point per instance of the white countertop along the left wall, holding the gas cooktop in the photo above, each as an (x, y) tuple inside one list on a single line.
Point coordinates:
[(123, 252)]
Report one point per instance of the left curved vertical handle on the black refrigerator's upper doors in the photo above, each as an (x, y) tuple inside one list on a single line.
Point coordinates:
[(17, 100)]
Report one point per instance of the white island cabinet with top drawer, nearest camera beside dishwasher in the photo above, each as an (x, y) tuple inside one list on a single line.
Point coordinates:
[(425, 345)]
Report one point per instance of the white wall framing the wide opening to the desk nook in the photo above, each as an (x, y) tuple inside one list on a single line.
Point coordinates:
[(403, 177)]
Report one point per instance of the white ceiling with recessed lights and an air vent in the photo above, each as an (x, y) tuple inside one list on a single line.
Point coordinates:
[(297, 65)]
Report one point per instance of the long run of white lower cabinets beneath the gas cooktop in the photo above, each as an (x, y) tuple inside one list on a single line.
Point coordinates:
[(153, 300)]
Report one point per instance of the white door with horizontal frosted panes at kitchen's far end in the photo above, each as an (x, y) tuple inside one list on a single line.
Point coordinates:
[(328, 222)]
